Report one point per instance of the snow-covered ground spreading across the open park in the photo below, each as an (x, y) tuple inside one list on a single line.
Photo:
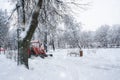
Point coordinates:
[(96, 64)]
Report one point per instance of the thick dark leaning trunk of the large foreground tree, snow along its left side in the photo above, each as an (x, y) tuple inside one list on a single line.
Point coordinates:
[(25, 42)]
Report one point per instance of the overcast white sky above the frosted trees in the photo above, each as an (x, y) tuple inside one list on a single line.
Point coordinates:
[(101, 12)]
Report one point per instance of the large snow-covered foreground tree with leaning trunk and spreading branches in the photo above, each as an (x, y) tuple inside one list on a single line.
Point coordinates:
[(46, 13)]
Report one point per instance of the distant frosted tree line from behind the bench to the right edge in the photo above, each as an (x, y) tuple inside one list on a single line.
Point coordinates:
[(104, 37)]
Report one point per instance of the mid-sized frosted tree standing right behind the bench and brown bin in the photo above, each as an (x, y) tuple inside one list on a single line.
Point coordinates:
[(72, 31)]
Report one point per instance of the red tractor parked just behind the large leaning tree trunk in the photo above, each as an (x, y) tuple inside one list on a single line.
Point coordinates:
[(37, 49)]
